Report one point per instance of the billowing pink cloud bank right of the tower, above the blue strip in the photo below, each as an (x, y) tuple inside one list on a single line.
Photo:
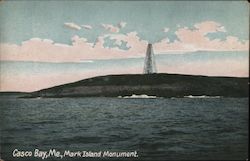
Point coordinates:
[(196, 39)]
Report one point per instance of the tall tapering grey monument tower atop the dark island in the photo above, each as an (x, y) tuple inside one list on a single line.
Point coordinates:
[(149, 64)]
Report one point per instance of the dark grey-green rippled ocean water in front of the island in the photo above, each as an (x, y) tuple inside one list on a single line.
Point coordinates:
[(157, 129)]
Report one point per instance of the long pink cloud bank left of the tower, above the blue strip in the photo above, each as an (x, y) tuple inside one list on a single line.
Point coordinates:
[(44, 50)]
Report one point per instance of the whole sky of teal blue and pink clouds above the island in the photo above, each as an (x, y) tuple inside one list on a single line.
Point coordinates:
[(47, 43)]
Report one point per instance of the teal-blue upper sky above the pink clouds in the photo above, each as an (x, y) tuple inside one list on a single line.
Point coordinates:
[(22, 20)]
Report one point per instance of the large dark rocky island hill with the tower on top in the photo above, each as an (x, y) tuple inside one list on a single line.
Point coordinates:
[(160, 85)]
